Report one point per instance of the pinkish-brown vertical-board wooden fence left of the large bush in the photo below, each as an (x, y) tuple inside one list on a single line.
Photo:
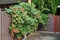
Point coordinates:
[(4, 25)]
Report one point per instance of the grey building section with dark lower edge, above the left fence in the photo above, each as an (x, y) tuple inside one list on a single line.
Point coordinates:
[(7, 3)]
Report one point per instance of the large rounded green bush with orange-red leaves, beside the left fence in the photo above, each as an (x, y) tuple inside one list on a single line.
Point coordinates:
[(24, 19)]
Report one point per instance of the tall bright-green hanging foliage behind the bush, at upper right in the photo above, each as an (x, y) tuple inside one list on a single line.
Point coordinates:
[(48, 5)]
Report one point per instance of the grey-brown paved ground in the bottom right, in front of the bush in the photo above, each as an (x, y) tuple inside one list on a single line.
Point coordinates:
[(44, 36)]
